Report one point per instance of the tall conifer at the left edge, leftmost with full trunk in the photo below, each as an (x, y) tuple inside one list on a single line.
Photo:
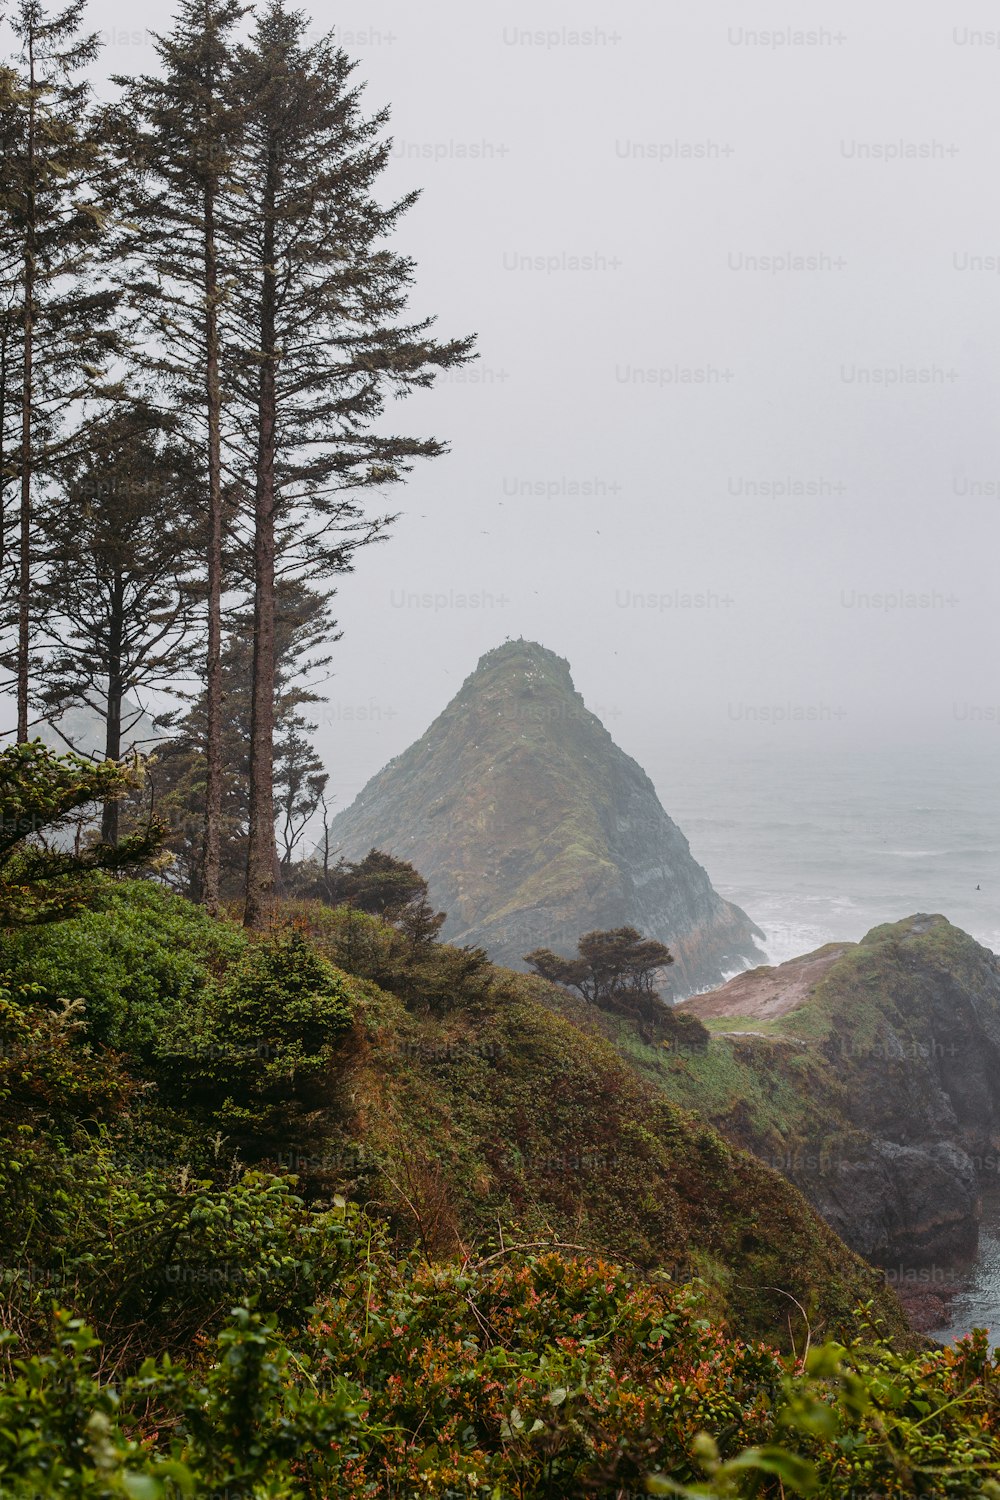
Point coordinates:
[(56, 319)]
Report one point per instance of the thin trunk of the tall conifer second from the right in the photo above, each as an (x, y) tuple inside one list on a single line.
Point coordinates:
[(212, 860)]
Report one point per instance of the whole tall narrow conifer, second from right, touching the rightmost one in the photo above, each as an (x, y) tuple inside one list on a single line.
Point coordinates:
[(182, 128)]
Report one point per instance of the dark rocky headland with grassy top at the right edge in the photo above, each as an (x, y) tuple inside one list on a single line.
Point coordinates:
[(870, 1075)]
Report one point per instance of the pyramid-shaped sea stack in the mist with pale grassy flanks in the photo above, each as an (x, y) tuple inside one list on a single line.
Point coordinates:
[(533, 827)]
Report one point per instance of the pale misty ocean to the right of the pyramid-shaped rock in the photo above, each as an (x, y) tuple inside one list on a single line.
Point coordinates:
[(821, 847)]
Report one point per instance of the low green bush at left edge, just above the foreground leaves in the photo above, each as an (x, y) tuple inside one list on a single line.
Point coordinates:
[(152, 1256)]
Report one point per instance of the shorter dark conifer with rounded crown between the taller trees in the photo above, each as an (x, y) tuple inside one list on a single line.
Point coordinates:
[(116, 602)]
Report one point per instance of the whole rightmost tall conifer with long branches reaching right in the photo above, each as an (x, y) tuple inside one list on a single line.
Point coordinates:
[(320, 343)]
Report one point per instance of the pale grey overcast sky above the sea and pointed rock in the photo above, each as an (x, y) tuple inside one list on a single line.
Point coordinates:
[(732, 445)]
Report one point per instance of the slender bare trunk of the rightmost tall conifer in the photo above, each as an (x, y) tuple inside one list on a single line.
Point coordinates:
[(263, 850)]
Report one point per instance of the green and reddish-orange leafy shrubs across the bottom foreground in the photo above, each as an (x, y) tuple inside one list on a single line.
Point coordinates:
[(530, 1376)]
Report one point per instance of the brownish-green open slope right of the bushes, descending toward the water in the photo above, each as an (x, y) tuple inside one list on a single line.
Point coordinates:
[(504, 1112)]
